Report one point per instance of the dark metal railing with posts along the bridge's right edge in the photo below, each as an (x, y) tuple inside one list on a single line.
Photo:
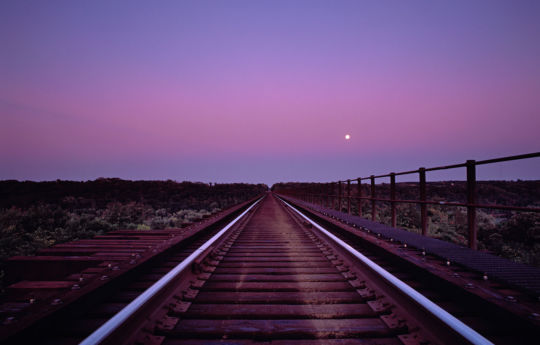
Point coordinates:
[(329, 199)]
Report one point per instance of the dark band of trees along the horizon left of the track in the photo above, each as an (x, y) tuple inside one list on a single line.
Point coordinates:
[(97, 194)]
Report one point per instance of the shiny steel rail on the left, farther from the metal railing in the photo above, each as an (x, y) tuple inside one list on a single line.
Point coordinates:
[(123, 315)]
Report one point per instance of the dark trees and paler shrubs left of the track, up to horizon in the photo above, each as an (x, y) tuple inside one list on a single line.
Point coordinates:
[(34, 215)]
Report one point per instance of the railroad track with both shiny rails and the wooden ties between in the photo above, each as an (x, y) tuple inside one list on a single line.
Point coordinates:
[(273, 279)]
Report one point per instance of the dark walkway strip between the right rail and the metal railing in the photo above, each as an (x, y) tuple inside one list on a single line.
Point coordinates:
[(504, 314)]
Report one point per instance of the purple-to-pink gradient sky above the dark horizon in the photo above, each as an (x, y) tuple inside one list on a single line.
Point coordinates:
[(264, 91)]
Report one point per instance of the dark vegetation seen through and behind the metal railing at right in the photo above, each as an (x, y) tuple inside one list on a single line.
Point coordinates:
[(511, 234)]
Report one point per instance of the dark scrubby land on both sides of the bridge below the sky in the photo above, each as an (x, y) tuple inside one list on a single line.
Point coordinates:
[(34, 215)]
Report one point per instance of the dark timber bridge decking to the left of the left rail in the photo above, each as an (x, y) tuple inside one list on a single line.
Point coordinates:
[(67, 291)]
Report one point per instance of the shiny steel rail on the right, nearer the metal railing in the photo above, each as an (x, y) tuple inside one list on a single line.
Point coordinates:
[(459, 327)]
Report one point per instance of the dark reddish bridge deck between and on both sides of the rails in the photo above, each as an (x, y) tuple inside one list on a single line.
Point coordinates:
[(271, 277)]
